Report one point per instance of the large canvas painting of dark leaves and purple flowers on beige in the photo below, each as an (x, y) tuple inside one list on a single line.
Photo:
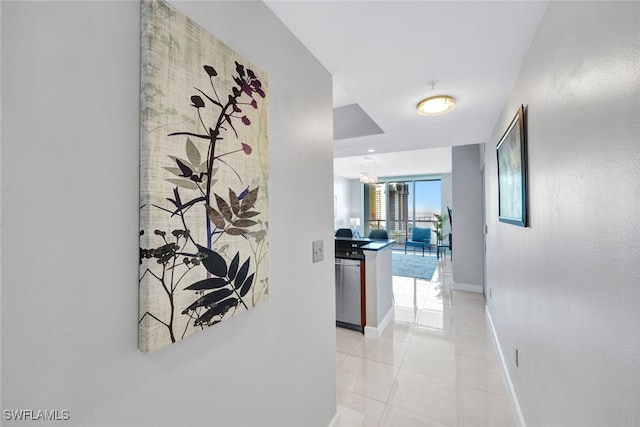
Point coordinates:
[(203, 180)]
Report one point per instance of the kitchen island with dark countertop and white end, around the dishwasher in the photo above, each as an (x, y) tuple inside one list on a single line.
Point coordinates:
[(377, 286)]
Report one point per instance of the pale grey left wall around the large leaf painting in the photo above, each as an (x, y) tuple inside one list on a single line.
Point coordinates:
[(70, 85)]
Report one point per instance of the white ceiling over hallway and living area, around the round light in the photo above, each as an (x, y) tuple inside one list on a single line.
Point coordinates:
[(382, 54)]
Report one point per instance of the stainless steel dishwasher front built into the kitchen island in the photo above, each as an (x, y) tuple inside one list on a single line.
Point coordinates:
[(348, 294)]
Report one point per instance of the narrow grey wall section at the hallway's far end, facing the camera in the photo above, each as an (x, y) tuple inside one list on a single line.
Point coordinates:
[(468, 243)]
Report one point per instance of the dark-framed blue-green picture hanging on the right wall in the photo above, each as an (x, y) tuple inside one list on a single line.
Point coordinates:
[(512, 172)]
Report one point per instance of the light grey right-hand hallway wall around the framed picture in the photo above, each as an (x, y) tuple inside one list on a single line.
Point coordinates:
[(566, 289)]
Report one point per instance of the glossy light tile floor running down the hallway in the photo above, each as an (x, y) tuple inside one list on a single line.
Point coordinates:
[(435, 365)]
